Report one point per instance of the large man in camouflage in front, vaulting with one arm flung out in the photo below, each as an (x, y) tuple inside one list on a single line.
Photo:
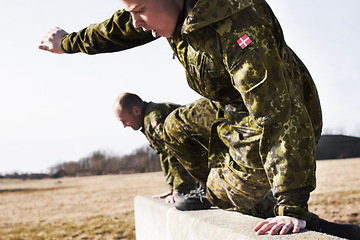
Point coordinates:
[(268, 111)]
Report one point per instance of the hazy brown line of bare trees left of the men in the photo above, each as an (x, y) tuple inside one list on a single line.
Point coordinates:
[(142, 160)]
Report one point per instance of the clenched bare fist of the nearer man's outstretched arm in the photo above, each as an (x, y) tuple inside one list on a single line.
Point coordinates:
[(52, 40)]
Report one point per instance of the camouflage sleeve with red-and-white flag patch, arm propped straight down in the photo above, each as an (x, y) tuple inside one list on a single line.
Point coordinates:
[(286, 137)]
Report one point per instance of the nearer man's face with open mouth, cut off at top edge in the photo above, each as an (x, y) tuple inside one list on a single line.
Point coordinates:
[(158, 16)]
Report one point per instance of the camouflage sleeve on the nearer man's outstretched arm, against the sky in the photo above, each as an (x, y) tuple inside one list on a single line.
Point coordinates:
[(115, 34)]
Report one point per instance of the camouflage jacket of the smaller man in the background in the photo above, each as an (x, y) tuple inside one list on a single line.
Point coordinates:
[(154, 116)]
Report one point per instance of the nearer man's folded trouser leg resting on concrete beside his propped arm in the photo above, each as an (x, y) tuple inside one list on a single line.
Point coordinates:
[(245, 192)]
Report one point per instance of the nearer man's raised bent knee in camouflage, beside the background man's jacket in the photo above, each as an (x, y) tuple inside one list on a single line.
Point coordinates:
[(187, 133)]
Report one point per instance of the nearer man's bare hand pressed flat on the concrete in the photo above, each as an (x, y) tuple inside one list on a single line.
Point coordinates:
[(279, 225)]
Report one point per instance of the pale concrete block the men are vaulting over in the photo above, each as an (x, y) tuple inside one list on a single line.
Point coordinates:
[(155, 219)]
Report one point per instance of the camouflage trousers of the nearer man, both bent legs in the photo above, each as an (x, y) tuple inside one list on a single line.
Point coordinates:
[(187, 134)]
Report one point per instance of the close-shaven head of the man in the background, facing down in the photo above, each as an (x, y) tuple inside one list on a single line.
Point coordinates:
[(128, 108)]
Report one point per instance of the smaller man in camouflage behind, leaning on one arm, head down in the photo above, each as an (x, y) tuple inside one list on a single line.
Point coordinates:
[(149, 117)]
